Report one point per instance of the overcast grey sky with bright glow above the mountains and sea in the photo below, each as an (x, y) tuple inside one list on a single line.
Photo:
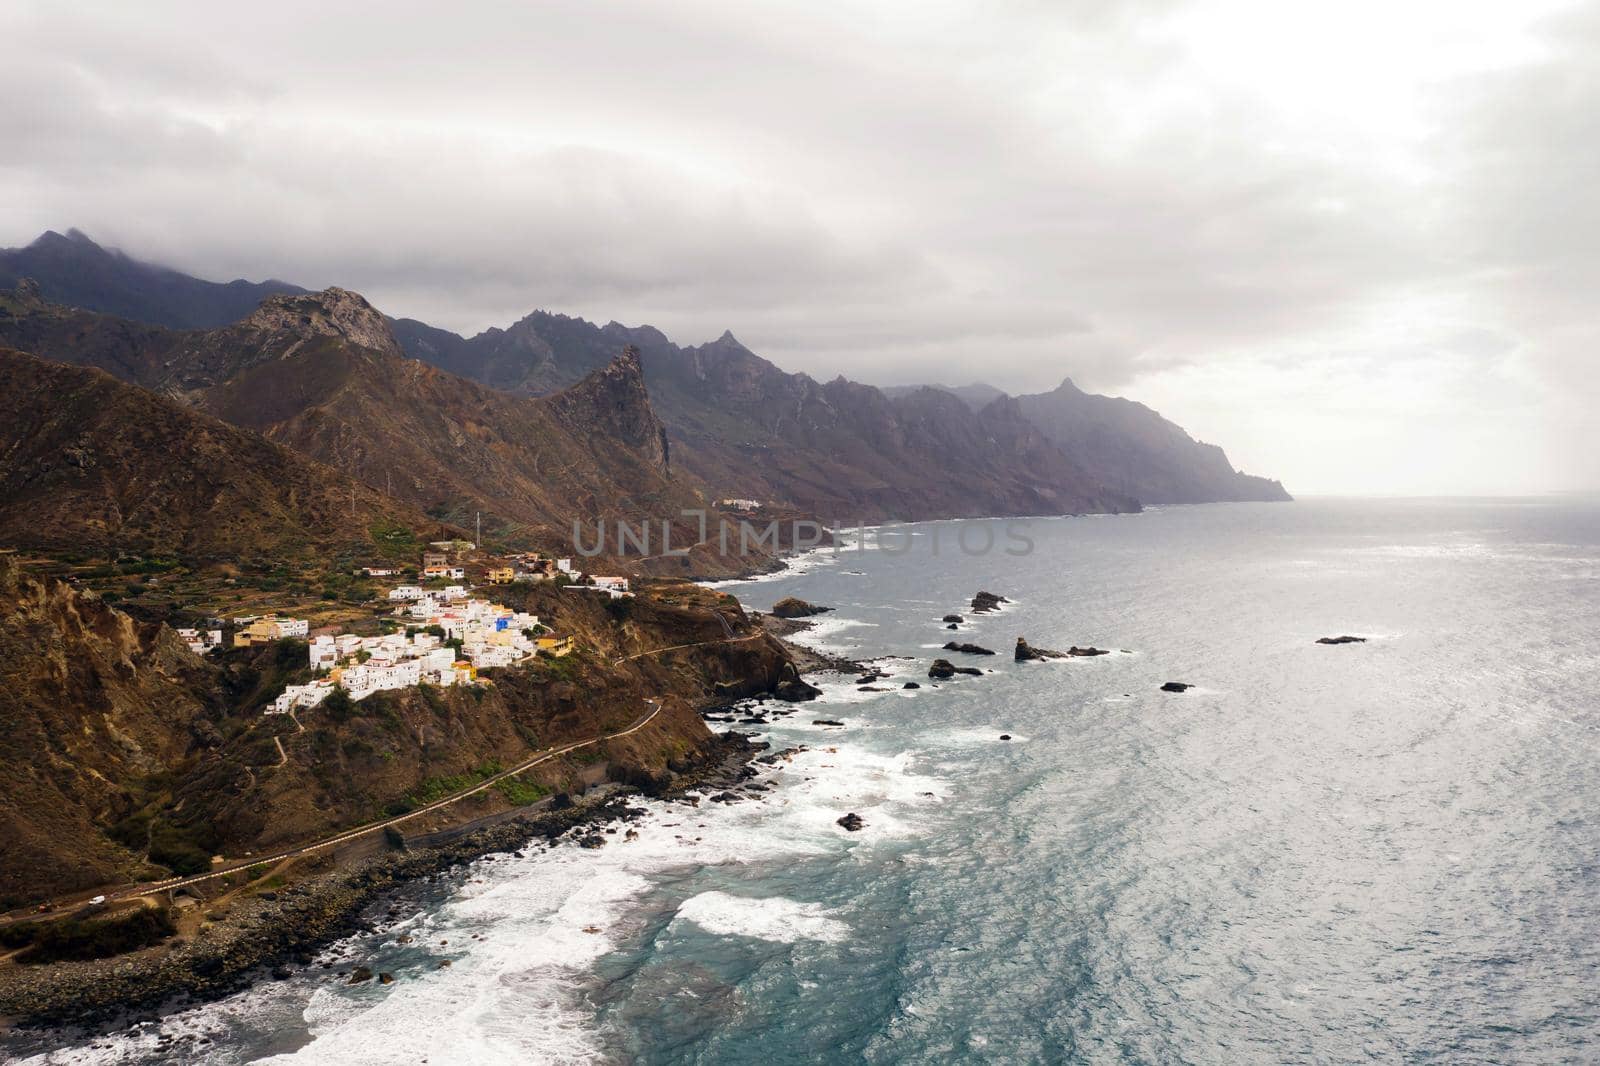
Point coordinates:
[(1358, 244)]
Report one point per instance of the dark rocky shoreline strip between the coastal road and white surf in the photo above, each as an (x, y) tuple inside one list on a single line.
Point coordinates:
[(271, 936)]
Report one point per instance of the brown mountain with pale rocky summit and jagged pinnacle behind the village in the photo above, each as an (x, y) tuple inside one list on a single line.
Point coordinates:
[(322, 375)]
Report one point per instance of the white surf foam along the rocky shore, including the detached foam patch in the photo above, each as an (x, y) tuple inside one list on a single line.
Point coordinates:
[(524, 936)]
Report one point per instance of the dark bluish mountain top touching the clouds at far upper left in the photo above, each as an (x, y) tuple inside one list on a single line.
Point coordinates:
[(73, 270)]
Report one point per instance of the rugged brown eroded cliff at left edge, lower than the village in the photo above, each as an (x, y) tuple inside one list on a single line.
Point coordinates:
[(92, 705)]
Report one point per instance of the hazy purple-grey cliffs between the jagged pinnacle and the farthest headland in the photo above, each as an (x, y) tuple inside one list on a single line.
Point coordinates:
[(751, 430)]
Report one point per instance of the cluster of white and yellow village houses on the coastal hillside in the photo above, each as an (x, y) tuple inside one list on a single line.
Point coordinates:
[(438, 635)]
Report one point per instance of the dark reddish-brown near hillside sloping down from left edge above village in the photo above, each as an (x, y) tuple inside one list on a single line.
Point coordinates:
[(90, 462)]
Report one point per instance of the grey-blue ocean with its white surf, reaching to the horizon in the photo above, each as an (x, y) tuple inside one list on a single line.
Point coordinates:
[(1378, 852)]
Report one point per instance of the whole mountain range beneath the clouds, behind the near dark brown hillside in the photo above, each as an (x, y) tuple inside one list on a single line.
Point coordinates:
[(452, 425)]
